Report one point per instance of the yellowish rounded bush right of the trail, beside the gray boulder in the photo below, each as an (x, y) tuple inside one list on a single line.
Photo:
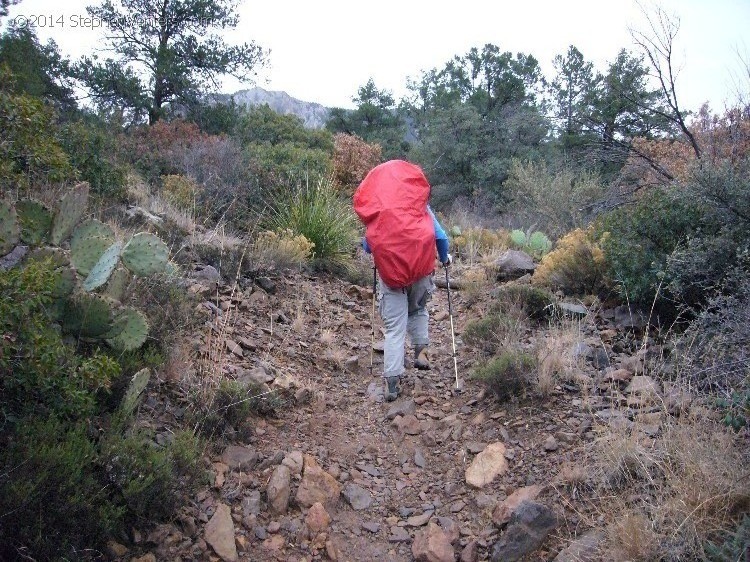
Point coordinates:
[(576, 265)]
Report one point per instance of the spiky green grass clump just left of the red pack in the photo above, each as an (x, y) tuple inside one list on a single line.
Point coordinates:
[(318, 213)]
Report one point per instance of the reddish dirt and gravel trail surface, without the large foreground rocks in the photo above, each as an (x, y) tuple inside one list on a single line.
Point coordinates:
[(405, 460)]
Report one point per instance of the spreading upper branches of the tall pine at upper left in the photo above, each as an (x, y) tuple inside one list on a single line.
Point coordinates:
[(167, 52)]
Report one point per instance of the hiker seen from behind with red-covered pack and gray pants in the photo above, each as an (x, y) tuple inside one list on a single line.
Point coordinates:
[(403, 235)]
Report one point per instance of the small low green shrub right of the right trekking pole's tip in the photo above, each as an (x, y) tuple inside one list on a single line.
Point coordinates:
[(507, 375)]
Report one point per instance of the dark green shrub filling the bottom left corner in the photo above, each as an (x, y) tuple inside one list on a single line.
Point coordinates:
[(53, 504)]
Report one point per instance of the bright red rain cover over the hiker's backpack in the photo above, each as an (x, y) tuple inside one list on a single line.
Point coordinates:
[(392, 203)]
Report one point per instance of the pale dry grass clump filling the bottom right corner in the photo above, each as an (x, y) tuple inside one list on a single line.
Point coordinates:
[(666, 497)]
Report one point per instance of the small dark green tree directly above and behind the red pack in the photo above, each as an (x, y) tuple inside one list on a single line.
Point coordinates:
[(376, 121)]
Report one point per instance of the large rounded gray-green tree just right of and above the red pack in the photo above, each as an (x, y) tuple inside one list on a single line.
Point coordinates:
[(472, 117)]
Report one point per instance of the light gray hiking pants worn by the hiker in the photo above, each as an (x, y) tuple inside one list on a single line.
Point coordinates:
[(403, 311)]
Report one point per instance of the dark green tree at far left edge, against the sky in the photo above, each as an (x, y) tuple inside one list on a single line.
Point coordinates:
[(39, 70)]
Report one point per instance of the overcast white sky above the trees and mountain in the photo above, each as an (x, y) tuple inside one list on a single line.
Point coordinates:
[(324, 50)]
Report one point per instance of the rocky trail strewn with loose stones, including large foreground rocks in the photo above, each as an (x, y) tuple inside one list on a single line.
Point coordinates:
[(339, 474)]
